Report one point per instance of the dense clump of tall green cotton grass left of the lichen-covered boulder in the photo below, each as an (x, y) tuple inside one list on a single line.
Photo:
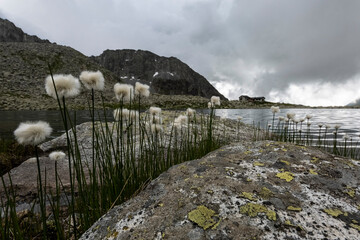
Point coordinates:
[(126, 153)]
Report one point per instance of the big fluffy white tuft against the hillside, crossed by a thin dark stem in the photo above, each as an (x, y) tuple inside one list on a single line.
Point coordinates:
[(66, 86)]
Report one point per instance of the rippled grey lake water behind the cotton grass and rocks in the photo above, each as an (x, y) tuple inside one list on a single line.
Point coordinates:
[(349, 119)]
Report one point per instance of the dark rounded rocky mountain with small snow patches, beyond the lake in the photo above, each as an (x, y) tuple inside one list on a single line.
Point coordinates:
[(165, 75)]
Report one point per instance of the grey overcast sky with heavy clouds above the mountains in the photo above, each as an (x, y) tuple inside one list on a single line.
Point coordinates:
[(298, 51)]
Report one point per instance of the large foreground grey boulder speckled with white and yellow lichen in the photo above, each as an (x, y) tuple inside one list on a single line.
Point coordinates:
[(226, 196)]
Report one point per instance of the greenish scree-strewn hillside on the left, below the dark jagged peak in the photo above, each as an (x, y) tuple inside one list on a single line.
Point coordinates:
[(24, 67)]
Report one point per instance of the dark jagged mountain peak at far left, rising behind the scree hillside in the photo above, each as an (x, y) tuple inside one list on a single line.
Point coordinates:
[(10, 33)]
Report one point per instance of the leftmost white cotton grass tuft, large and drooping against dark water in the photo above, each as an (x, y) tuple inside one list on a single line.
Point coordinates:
[(32, 133)]
